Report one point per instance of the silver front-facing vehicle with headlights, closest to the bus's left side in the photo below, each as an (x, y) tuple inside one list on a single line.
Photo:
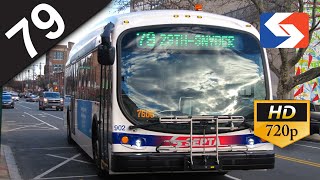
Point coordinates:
[(50, 100)]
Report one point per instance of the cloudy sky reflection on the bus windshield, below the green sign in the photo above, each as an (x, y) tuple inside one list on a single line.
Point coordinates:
[(223, 81)]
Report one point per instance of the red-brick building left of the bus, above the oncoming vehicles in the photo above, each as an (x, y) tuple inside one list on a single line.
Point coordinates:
[(54, 67)]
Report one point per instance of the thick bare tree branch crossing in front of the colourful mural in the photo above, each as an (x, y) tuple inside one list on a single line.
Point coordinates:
[(304, 77)]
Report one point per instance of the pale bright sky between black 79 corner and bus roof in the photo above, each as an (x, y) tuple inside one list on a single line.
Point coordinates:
[(73, 37)]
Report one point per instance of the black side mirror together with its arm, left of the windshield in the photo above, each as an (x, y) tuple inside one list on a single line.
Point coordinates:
[(106, 52)]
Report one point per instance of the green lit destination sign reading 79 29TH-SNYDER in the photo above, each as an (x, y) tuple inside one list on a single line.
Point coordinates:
[(151, 40)]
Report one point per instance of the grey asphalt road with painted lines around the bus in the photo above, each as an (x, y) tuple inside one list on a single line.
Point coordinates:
[(39, 146)]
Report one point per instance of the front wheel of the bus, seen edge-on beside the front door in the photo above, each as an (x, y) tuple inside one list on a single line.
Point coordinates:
[(95, 149)]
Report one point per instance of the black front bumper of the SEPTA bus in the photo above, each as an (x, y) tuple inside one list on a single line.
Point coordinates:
[(152, 162)]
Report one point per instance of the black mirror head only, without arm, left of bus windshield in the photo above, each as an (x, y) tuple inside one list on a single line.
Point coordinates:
[(106, 55)]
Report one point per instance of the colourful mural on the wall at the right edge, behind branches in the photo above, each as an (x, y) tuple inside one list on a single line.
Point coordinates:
[(309, 90)]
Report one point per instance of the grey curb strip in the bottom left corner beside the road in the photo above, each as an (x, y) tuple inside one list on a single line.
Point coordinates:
[(13, 172)]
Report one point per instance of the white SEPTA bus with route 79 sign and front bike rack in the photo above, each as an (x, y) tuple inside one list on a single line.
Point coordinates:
[(168, 91)]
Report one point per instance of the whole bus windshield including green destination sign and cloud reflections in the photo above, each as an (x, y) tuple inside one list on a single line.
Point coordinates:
[(189, 70)]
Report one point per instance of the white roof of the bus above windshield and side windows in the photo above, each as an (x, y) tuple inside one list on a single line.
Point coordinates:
[(155, 17)]
